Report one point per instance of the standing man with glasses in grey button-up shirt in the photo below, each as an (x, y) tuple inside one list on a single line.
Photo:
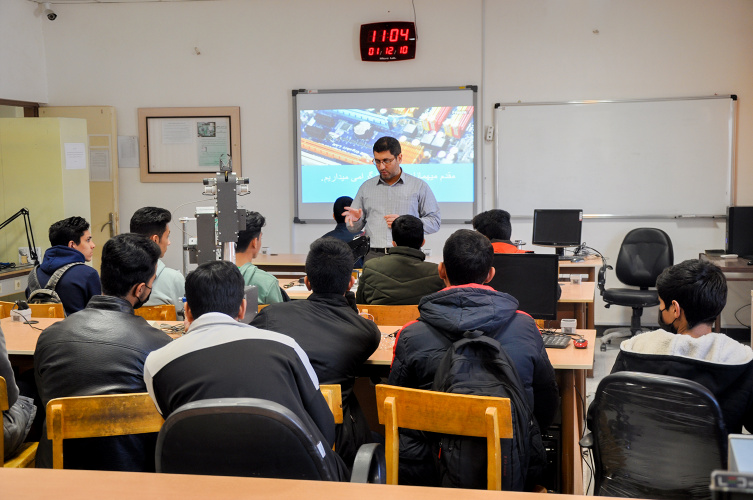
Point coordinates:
[(383, 199)]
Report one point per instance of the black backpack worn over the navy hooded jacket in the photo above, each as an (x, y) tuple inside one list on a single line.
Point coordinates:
[(479, 365)]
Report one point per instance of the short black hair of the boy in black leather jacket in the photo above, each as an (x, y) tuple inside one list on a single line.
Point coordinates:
[(127, 259)]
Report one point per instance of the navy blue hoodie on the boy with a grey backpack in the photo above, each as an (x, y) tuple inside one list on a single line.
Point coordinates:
[(77, 285)]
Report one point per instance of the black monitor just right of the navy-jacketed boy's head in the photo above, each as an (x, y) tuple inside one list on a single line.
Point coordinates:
[(530, 278)]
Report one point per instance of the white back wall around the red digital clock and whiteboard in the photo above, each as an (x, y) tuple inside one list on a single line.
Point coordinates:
[(254, 52)]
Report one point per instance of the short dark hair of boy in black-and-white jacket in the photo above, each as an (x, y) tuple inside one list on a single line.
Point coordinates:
[(215, 286)]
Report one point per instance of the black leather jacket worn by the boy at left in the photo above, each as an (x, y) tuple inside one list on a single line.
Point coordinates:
[(98, 350)]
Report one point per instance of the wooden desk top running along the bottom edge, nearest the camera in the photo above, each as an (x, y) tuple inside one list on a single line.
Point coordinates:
[(32, 484)]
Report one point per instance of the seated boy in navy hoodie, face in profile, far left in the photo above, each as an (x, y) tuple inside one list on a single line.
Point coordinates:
[(71, 243)]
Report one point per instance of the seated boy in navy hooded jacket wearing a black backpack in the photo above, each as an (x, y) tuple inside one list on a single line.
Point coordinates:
[(466, 305)]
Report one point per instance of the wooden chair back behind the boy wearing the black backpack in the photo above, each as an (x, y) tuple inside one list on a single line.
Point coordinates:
[(445, 413)]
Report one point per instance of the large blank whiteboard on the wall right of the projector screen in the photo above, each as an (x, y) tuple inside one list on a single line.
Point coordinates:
[(659, 157)]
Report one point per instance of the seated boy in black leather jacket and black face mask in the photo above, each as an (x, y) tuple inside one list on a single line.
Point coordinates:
[(101, 350)]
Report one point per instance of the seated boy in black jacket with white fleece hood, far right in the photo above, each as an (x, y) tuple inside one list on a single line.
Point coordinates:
[(691, 295)]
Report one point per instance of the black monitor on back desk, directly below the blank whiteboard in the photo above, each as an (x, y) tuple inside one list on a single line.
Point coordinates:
[(559, 228)]
